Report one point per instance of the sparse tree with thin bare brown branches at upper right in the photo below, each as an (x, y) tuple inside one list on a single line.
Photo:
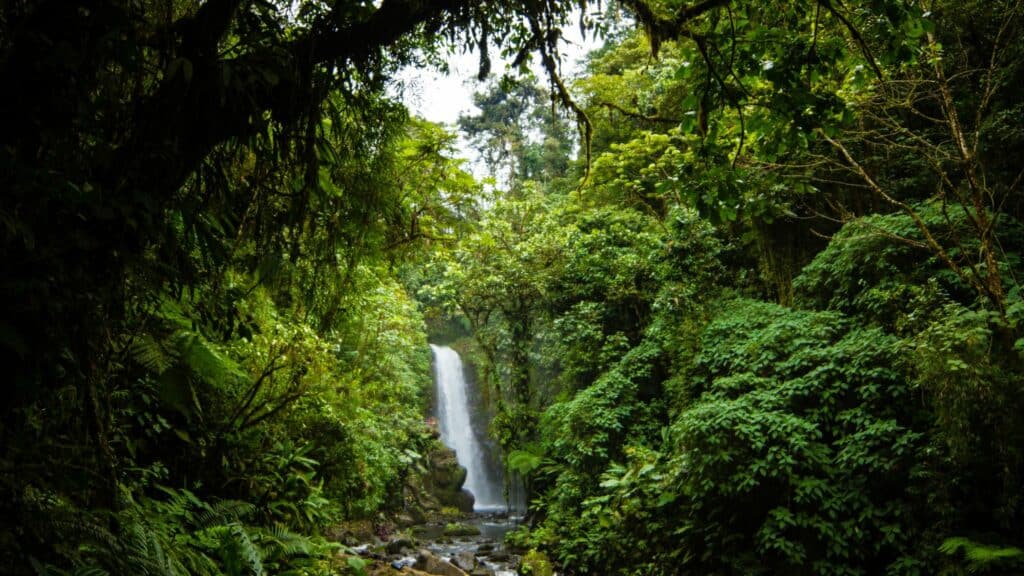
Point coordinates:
[(944, 109)]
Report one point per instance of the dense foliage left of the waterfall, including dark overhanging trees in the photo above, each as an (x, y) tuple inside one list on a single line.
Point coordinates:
[(211, 358)]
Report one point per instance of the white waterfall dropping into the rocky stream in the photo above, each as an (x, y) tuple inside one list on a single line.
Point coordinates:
[(459, 434)]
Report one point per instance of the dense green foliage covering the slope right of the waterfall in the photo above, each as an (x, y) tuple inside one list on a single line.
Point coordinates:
[(776, 327)]
